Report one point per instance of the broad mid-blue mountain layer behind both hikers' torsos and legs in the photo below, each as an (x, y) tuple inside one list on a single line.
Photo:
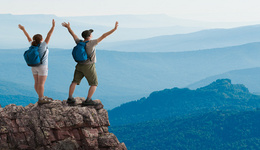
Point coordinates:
[(127, 76)]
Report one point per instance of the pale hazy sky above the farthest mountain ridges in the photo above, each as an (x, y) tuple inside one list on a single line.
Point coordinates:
[(208, 10)]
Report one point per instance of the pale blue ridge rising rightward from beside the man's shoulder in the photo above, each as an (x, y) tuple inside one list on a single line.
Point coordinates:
[(206, 39)]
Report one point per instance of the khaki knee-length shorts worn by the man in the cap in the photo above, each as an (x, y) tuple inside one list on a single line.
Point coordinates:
[(88, 71)]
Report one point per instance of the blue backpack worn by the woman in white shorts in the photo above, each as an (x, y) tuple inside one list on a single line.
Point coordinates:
[(32, 56)]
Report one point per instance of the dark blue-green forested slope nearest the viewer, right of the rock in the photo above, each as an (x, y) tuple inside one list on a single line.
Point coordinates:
[(214, 130)]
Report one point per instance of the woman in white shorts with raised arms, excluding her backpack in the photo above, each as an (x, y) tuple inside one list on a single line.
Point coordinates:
[(40, 72)]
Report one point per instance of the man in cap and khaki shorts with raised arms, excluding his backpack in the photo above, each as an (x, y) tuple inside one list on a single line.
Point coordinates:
[(86, 69)]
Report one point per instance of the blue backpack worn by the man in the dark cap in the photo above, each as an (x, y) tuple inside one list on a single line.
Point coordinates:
[(79, 52)]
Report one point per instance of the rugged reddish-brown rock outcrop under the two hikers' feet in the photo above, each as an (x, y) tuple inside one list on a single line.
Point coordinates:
[(56, 126)]
